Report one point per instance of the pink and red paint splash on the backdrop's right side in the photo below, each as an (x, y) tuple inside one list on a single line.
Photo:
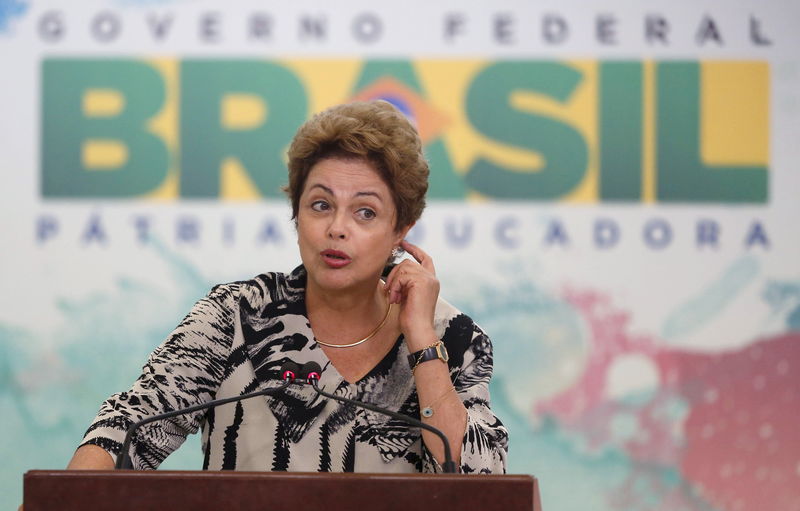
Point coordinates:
[(739, 443)]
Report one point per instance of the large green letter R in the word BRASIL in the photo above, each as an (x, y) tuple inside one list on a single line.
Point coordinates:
[(205, 142)]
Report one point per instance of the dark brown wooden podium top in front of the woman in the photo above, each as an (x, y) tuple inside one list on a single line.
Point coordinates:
[(279, 491)]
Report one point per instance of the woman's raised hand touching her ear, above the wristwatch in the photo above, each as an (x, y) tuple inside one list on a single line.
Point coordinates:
[(413, 285)]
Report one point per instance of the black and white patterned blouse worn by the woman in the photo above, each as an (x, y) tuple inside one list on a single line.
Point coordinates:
[(235, 340)]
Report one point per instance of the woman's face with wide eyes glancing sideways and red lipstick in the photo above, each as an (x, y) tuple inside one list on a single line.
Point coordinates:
[(346, 224)]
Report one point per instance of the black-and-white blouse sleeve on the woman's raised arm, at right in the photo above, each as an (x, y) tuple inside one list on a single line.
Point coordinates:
[(484, 449)]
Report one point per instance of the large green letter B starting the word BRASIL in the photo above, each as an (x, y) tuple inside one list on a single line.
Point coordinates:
[(66, 128)]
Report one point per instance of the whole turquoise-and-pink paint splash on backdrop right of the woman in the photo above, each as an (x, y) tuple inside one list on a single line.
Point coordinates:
[(612, 420)]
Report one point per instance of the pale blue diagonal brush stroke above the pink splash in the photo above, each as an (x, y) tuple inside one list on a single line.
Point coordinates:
[(702, 308)]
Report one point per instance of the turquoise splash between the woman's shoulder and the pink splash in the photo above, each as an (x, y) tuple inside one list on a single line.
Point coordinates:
[(534, 333)]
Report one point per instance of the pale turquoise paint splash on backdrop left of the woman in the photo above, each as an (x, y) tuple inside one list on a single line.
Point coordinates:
[(51, 388)]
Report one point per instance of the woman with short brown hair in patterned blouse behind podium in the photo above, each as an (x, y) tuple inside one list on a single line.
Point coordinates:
[(357, 183)]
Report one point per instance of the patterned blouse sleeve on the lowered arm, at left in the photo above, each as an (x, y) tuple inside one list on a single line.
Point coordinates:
[(186, 369)]
